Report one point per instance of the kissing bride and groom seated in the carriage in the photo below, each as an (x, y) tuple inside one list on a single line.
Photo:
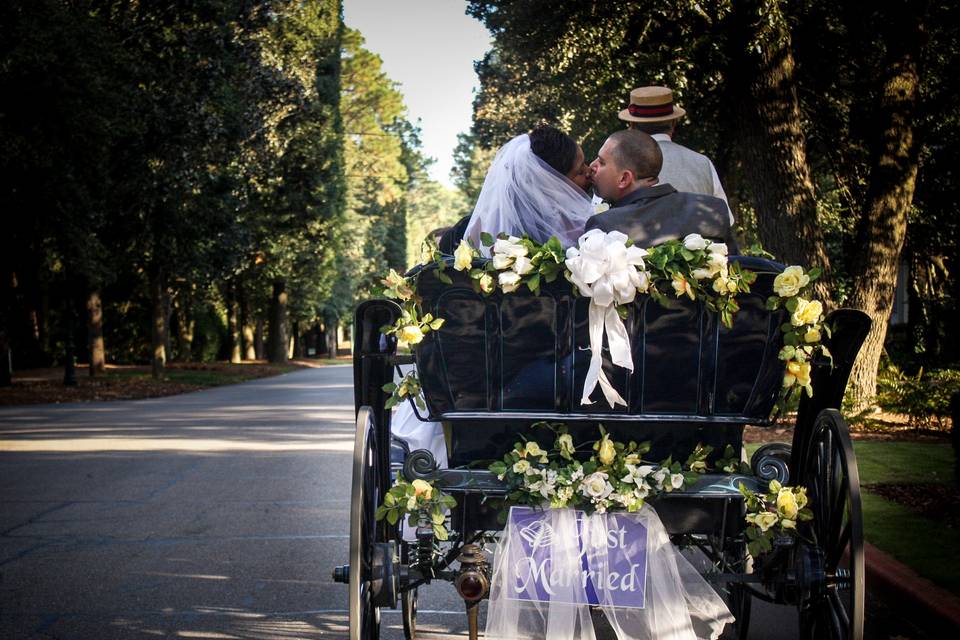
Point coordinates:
[(538, 186)]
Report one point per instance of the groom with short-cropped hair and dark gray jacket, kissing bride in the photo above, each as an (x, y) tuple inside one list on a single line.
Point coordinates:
[(625, 174)]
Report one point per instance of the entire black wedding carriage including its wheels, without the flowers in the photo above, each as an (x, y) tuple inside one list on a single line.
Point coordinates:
[(504, 361)]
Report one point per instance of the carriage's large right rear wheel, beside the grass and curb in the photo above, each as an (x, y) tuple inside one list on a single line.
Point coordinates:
[(830, 561)]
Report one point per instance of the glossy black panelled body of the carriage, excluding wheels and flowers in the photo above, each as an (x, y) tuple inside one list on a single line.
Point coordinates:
[(505, 361)]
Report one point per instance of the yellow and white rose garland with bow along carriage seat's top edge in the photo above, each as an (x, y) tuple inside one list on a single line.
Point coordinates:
[(611, 271)]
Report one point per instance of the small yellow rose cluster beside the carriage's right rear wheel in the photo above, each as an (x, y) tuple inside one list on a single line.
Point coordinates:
[(773, 515)]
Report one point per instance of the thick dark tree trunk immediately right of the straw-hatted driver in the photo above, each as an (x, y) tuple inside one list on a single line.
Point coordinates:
[(774, 151)]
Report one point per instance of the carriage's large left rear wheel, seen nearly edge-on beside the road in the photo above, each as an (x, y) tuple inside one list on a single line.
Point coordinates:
[(366, 559)]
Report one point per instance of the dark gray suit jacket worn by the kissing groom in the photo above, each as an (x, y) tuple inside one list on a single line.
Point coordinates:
[(652, 215)]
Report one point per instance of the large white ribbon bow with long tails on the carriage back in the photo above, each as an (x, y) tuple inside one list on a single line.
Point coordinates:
[(608, 272)]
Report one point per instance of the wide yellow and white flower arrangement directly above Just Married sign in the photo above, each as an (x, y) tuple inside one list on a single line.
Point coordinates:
[(615, 477)]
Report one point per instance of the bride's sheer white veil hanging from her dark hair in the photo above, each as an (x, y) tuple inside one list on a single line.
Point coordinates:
[(522, 194)]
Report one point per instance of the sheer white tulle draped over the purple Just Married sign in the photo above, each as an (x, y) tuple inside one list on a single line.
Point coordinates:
[(679, 603)]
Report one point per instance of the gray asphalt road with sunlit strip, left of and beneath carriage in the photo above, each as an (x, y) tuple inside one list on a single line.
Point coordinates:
[(215, 514)]
